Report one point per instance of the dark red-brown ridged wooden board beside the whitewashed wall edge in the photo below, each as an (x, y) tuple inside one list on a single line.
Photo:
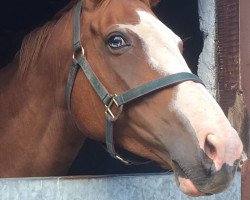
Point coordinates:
[(228, 52)]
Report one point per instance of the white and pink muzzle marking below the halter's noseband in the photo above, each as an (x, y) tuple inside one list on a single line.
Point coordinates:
[(194, 105)]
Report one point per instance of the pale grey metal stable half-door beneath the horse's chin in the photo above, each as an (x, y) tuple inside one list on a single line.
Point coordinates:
[(123, 187)]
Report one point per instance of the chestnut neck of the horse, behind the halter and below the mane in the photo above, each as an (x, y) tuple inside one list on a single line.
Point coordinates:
[(37, 134)]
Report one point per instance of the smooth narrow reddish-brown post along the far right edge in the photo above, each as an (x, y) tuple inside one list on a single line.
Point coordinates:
[(244, 47)]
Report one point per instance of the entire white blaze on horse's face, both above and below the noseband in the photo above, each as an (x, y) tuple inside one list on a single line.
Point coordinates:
[(192, 102)]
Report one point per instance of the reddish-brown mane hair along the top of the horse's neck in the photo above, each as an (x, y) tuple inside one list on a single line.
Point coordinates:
[(33, 43)]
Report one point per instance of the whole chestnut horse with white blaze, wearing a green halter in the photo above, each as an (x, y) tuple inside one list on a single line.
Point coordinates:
[(129, 53)]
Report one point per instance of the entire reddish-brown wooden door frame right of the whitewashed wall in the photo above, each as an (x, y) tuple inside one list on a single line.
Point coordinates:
[(234, 72)]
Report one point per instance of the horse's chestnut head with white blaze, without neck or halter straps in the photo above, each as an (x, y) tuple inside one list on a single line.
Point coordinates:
[(180, 127)]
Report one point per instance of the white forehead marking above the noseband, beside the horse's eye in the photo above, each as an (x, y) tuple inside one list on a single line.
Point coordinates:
[(160, 44)]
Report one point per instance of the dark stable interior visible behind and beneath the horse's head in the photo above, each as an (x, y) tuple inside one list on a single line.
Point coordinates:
[(17, 18)]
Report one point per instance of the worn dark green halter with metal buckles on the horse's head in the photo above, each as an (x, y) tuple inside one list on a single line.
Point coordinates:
[(113, 102)]
